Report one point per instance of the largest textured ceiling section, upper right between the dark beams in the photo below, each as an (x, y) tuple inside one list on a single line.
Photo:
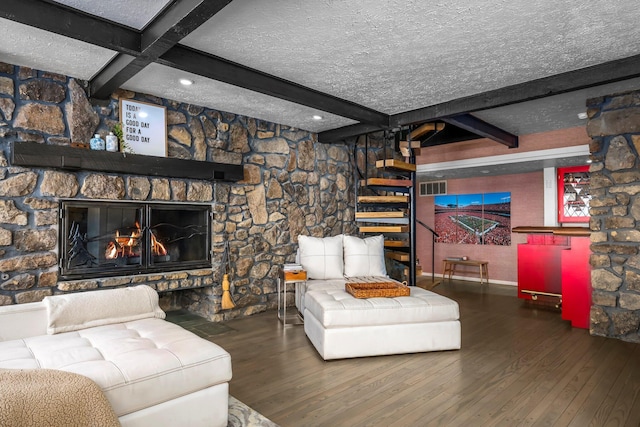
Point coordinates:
[(395, 56)]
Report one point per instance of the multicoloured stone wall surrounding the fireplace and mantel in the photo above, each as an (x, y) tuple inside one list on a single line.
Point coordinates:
[(292, 186)]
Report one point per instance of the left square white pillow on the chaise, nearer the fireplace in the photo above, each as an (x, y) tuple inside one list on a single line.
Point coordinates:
[(321, 257)]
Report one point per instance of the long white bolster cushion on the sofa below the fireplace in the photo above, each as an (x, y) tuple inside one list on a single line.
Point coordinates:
[(81, 310)]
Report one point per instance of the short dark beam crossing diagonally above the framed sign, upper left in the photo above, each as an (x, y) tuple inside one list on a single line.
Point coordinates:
[(175, 23)]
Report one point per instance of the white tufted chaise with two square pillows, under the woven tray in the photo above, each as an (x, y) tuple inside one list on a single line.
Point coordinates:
[(342, 326)]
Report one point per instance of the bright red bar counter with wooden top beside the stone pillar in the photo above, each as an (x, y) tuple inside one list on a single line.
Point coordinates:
[(554, 266)]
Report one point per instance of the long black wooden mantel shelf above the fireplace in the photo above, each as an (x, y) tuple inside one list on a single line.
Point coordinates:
[(64, 157)]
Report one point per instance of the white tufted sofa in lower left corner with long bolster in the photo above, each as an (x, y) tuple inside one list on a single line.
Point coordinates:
[(152, 372)]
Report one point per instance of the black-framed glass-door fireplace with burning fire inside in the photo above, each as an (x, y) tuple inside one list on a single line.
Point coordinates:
[(99, 239)]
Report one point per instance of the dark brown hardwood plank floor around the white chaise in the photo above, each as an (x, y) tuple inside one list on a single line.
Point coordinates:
[(518, 366)]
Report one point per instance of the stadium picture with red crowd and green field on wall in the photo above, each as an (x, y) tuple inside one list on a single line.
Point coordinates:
[(476, 219)]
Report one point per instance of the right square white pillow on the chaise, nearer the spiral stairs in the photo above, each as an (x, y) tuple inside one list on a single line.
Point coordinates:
[(364, 257)]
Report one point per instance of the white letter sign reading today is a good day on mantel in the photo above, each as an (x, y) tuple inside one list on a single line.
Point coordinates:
[(144, 128)]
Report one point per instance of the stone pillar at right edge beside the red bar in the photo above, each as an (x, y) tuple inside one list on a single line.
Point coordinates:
[(614, 126)]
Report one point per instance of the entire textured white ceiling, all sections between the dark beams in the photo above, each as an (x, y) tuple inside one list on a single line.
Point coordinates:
[(391, 56)]
